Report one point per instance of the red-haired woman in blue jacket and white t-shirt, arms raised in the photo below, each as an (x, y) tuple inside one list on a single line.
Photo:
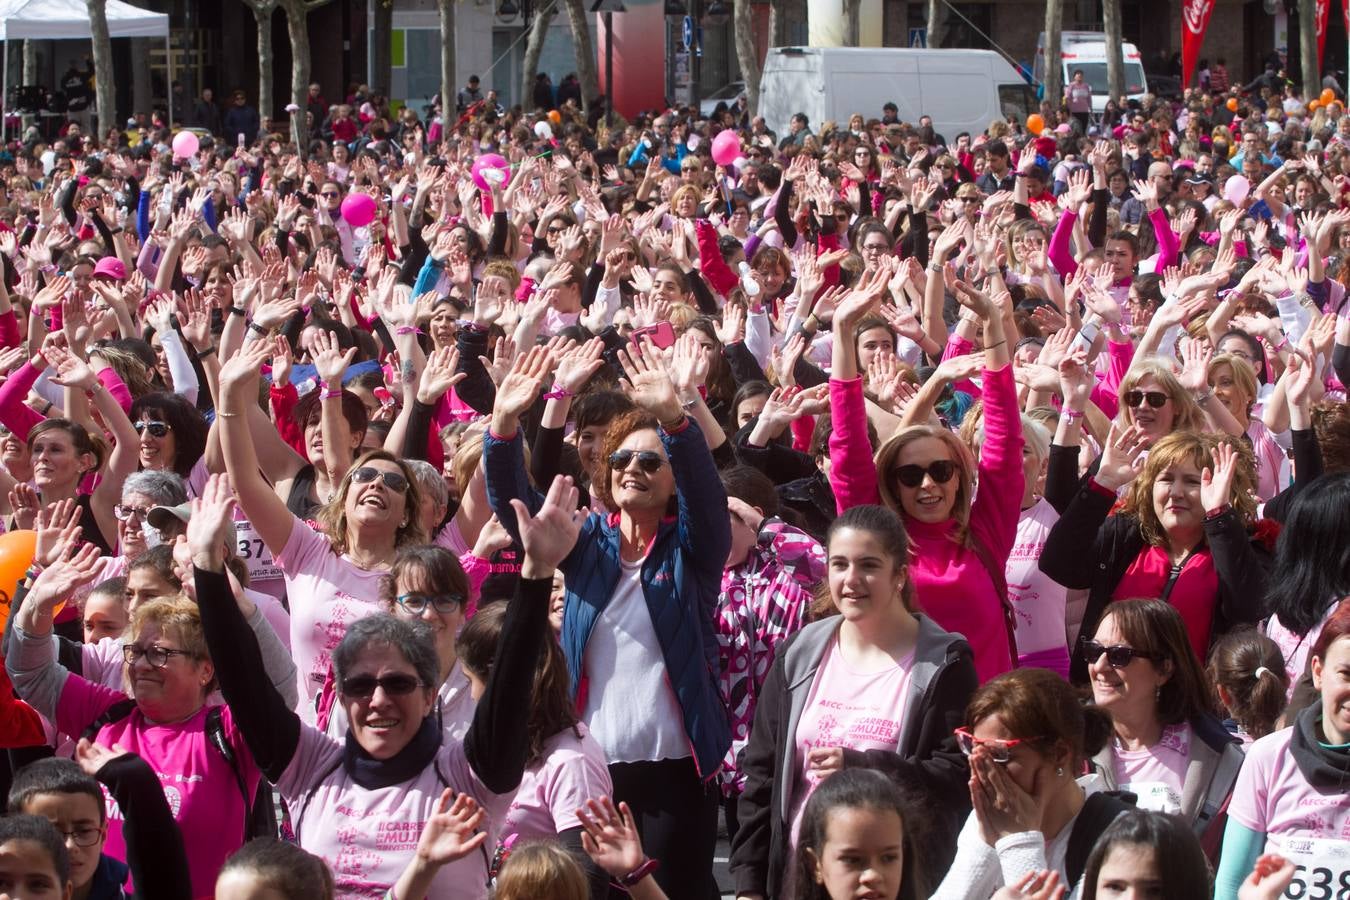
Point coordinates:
[(642, 594)]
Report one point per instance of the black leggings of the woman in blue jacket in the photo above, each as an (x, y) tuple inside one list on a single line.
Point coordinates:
[(677, 817)]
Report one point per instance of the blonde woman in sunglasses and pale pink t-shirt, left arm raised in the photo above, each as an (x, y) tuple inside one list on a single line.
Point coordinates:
[(333, 577)]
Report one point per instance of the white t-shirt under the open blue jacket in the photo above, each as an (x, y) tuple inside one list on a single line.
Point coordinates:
[(631, 706)]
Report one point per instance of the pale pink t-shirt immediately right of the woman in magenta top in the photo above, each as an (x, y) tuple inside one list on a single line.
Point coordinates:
[(1037, 601)]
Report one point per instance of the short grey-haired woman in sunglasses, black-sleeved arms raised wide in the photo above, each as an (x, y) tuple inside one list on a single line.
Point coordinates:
[(361, 804)]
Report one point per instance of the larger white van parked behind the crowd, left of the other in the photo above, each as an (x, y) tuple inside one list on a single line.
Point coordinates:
[(962, 90)]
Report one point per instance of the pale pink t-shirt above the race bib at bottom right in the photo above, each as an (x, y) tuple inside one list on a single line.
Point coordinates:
[(1274, 798)]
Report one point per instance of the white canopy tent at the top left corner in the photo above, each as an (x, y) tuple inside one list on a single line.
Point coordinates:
[(70, 21)]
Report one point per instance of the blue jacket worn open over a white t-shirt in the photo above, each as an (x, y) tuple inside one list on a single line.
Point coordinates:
[(682, 578)]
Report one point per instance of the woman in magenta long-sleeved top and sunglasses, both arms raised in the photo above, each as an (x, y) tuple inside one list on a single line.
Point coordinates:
[(928, 476)]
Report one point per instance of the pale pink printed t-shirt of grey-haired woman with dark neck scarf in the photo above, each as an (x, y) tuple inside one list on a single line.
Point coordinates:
[(369, 837)]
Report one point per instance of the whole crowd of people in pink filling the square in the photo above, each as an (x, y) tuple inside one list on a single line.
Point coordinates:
[(506, 505)]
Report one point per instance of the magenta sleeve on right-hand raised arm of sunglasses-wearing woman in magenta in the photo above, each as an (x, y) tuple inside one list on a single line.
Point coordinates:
[(994, 516)]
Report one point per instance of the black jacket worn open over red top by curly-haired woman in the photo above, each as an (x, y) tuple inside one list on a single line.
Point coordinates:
[(1087, 549)]
